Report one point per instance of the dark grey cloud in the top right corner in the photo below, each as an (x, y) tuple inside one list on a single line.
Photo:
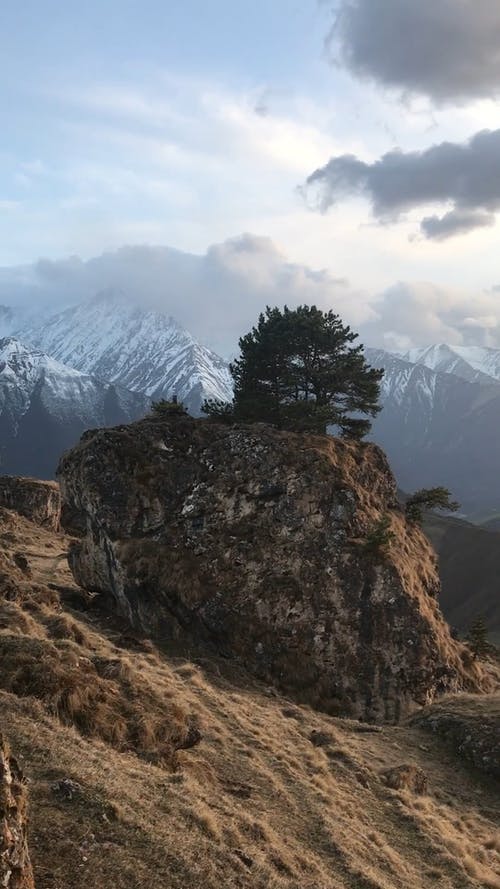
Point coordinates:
[(448, 50)]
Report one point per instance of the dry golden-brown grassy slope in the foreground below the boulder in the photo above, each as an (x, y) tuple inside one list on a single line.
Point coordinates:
[(273, 795)]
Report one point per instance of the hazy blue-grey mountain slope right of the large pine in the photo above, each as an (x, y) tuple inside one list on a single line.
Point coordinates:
[(439, 429)]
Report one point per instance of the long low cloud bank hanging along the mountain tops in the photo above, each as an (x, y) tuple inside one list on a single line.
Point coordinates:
[(219, 294)]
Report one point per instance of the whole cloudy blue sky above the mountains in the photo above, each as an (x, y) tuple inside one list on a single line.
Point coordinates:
[(346, 152)]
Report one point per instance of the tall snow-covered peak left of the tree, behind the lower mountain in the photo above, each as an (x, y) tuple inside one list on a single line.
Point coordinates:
[(142, 350)]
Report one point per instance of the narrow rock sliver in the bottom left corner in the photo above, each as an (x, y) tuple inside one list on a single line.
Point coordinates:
[(15, 867)]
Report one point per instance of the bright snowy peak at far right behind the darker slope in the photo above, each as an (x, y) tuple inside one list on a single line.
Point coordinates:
[(477, 364)]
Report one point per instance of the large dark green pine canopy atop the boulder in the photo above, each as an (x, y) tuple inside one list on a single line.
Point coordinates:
[(299, 370)]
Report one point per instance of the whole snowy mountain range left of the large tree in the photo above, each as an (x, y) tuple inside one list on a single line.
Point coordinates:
[(99, 363)]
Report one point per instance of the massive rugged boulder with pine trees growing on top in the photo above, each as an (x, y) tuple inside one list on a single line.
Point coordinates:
[(252, 541)]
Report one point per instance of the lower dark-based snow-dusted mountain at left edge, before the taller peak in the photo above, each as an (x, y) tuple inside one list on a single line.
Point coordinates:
[(45, 406)]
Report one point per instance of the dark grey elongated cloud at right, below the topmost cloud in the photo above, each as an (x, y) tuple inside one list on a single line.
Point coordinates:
[(467, 175)]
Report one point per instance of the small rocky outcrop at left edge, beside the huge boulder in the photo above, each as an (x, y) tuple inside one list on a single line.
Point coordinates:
[(38, 501)]
